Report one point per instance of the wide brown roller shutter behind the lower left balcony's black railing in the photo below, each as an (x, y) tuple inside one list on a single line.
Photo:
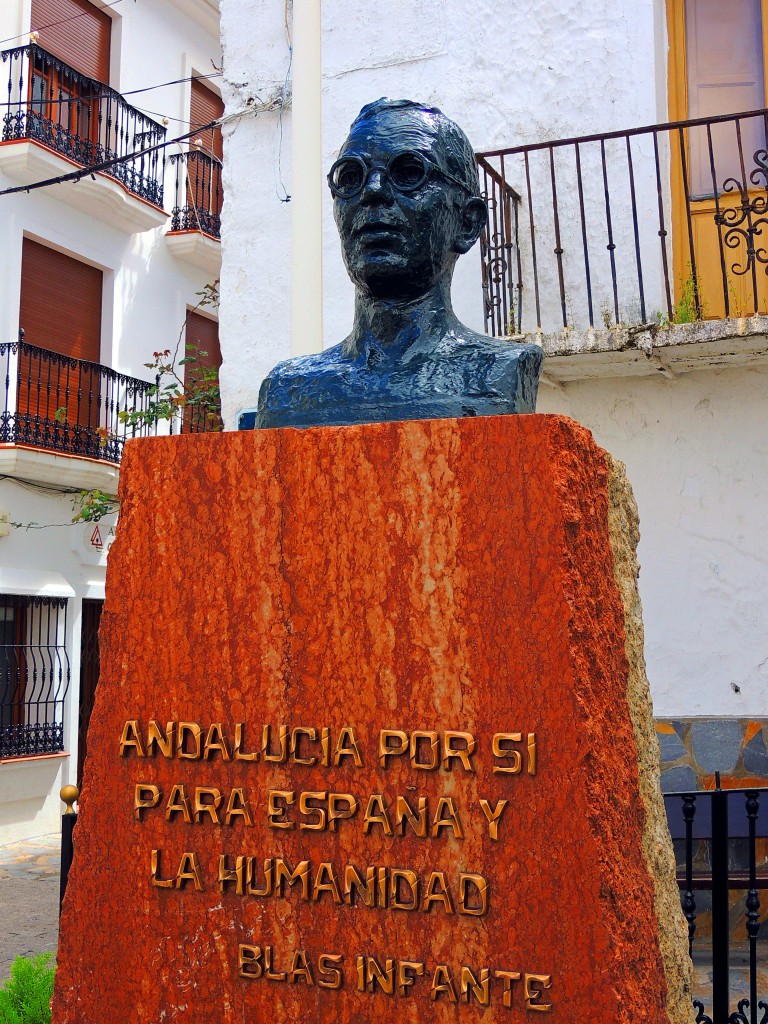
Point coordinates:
[(61, 312)]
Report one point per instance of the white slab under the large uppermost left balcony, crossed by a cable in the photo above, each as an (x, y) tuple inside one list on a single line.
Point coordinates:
[(28, 161)]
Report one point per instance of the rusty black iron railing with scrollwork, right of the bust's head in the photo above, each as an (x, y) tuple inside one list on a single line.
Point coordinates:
[(659, 225)]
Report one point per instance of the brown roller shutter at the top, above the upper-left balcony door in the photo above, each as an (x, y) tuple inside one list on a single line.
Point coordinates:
[(79, 33)]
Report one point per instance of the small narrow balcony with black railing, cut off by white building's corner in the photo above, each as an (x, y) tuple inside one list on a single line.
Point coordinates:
[(195, 234)]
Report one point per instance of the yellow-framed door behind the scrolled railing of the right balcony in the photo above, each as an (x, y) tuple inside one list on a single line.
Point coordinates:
[(720, 172)]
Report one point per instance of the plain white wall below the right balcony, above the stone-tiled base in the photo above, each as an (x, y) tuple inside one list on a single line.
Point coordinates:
[(696, 454)]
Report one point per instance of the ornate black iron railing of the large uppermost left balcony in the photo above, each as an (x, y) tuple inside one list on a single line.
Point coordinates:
[(81, 119)]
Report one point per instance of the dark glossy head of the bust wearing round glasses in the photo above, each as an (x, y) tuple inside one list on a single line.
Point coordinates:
[(407, 198)]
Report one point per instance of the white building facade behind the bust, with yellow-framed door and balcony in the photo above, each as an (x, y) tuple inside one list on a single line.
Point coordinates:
[(613, 252)]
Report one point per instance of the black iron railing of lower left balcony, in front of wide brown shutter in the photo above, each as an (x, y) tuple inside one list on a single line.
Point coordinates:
[(65, 405)]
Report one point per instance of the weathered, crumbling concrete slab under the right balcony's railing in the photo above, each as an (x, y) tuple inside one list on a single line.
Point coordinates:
[(647, 351)]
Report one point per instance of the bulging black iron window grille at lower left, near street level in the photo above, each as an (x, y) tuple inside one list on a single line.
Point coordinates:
[(34, 675)]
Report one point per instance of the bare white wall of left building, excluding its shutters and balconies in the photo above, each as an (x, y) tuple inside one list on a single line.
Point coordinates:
[(147, 294)]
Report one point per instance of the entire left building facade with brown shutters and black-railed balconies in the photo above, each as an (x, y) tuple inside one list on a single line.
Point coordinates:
[(99, 275)]
